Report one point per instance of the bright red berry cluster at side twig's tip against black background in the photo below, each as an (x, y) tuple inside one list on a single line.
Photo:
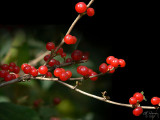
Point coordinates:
[(113, 63)]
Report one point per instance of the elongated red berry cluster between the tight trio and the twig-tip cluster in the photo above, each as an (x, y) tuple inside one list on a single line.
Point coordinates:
[(85, 71)]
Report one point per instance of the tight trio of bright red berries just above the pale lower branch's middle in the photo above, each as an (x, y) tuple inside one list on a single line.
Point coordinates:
[(62, 74)]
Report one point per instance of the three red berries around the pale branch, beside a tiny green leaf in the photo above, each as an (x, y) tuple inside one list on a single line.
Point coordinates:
[(135, 100)]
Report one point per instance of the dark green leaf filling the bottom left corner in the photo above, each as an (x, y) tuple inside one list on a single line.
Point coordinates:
[(9, 111)]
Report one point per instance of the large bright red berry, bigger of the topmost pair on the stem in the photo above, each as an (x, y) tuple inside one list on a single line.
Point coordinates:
[(81, 7)]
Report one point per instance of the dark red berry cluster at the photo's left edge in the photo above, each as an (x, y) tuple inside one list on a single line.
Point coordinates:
[(9, 72)]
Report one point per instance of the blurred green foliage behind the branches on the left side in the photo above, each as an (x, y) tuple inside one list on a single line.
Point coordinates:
[(22, 44)]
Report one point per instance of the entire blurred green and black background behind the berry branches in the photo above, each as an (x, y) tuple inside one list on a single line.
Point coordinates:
[(117, 29)]
